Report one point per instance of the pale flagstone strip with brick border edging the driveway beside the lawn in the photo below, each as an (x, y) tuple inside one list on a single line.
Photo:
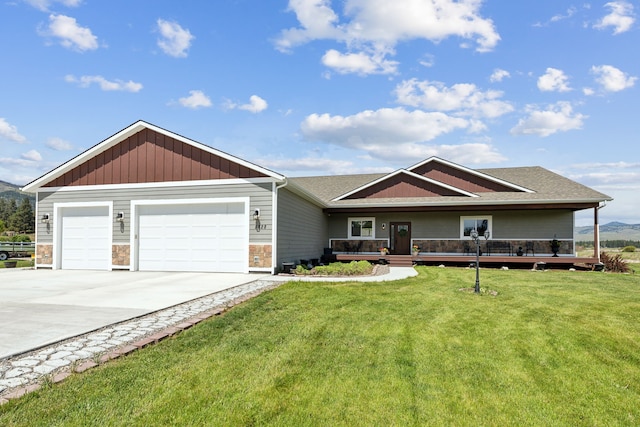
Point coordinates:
[(28, 372)]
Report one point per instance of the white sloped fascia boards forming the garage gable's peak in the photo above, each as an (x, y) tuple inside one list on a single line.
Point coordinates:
[(126, 133)]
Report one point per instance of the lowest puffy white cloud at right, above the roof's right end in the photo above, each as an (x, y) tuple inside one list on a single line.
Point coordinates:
[(557, 117)]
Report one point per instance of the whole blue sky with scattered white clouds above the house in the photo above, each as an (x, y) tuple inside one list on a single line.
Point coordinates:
[(317, 87)]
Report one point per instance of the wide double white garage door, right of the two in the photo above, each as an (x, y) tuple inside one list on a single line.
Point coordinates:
[(196, 237)]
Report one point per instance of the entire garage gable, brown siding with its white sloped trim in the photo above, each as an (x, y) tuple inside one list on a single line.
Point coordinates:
[(142, 153)]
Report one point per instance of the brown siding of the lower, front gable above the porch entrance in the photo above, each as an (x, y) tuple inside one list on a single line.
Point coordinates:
[(402, 185)]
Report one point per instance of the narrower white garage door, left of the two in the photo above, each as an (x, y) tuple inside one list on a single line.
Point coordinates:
[(86, 237)]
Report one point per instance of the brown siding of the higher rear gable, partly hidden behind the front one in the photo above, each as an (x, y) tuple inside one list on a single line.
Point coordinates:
[(459, 179)]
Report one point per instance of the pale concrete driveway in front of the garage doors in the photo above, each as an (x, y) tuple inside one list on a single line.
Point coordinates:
[(41, 307)]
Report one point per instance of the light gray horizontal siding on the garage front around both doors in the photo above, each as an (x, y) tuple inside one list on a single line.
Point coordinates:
[(260, 197)]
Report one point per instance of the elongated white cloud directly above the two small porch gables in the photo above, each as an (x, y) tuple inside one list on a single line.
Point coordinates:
[(464, 99)]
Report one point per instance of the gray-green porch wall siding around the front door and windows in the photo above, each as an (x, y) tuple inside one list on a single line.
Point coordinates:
[(532, 224)]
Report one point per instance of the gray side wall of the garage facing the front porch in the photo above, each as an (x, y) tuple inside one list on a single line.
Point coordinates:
[(302, 228)]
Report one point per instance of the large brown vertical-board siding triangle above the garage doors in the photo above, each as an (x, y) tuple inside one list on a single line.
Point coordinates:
[(150, 156)]
